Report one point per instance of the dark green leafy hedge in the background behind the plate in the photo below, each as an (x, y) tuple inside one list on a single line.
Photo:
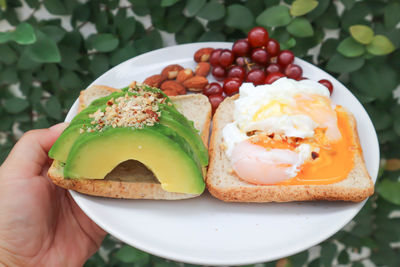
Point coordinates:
[(44, 63)]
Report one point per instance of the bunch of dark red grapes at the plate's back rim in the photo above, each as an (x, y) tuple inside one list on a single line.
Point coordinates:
[(257, 59)]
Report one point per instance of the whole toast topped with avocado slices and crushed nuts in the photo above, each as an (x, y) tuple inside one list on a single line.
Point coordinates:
[(98, 154)]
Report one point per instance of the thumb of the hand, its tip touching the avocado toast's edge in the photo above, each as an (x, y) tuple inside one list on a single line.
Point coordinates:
[(29, 154)]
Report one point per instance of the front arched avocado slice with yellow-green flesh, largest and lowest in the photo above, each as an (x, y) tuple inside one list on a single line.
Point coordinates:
[(95, 154)]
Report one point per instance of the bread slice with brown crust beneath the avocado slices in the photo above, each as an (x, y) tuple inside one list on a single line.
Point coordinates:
[(137, 189)]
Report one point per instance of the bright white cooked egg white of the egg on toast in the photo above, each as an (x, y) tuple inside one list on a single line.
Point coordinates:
[(254, 98)]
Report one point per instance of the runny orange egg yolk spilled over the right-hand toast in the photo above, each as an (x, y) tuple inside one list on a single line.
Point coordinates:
[(334, 160)]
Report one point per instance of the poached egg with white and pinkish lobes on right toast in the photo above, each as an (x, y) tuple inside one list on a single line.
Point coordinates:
[(278, 128)]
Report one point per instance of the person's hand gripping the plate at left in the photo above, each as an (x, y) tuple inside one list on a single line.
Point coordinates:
[(40, 224)]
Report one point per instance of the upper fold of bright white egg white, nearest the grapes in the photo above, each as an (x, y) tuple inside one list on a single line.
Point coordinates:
[(253, 98)]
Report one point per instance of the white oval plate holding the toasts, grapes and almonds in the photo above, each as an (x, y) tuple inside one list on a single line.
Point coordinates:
[(206, 230)]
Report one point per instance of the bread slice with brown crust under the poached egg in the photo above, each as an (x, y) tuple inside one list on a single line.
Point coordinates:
[(224, 184)]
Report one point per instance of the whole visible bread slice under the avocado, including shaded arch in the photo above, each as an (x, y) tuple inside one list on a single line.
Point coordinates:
[(131, 179)]
